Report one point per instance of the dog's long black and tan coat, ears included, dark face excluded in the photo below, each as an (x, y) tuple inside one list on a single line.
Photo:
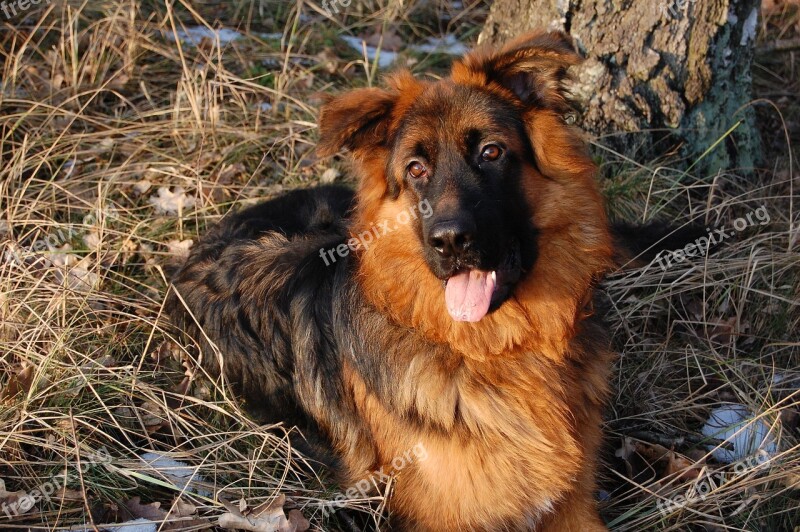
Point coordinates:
[(362, 355)]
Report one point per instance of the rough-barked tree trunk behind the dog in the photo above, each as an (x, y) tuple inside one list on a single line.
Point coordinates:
[(665, 73)]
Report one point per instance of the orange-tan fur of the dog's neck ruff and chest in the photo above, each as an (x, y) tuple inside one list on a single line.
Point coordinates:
[(519, 400)]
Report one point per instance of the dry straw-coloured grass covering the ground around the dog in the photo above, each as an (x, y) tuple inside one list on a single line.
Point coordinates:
[(98, 105)]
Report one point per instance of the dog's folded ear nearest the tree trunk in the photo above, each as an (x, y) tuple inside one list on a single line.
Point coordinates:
[(532, 67)]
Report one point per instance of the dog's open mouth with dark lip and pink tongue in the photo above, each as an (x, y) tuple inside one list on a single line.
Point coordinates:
[(471, 293)]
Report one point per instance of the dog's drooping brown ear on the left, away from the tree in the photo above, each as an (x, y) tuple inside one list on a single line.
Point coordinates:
[(355, 120)]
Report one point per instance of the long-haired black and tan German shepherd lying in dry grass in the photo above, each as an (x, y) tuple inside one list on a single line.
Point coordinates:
[(461, 325)]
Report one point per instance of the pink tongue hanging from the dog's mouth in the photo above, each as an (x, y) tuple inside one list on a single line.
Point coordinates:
[(469, 294)]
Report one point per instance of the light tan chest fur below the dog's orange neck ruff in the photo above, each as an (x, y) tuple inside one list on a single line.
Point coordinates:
[(492, 430)]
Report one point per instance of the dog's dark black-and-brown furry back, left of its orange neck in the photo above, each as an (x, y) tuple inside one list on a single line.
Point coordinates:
[(255, 289)]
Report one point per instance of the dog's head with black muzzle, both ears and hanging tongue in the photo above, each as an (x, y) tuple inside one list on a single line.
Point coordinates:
[(464, 147)]
